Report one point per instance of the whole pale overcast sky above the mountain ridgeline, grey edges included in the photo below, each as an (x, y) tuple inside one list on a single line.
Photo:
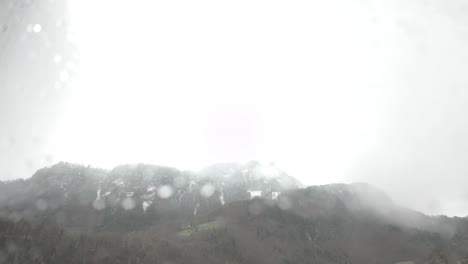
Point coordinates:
[(331, 91)]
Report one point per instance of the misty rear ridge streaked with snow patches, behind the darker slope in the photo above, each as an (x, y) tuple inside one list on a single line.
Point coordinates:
[(134, 196)]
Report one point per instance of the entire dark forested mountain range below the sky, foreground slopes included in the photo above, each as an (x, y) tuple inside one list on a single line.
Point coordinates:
[(226, 213)]
